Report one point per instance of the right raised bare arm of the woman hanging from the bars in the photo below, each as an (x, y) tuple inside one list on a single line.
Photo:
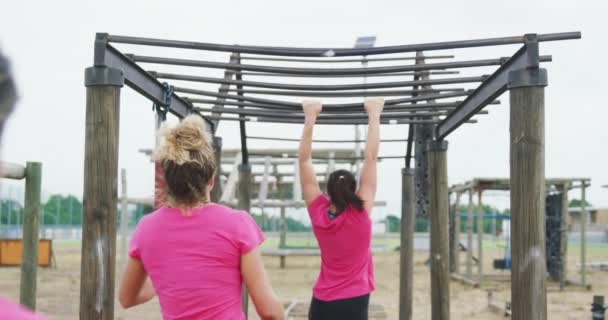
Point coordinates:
[(367, 186)]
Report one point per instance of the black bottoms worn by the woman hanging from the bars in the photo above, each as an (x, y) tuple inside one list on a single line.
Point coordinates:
[(343, 309)]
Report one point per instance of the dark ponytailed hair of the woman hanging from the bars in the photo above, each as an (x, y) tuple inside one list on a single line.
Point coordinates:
[(342, 188)]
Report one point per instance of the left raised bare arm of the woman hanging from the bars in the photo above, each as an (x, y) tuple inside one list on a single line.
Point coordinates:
[(308, 178)]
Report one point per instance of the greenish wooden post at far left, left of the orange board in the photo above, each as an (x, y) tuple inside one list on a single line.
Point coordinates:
[(31, 224)]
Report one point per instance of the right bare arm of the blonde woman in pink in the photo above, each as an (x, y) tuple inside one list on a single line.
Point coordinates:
[(265, 300)]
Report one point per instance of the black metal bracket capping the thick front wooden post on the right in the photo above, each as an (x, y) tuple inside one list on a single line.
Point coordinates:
[(531, 75)]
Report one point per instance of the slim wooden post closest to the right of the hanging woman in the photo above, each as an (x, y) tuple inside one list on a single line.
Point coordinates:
[(408, 220)]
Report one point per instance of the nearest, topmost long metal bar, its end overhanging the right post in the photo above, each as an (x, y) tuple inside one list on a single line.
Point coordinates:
[(338, 52)]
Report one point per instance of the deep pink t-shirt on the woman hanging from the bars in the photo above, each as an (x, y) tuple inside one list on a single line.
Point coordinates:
[(347, 269)]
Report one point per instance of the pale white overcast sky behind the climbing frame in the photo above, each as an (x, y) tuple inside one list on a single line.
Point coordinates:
[(51, 43)]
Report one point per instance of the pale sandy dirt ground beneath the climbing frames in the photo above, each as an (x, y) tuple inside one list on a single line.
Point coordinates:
[(58, 288)]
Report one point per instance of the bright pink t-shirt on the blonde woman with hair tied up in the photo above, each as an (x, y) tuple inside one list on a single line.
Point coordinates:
[(194, 261)]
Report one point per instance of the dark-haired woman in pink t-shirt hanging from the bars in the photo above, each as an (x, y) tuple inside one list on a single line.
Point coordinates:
[(341, 223)]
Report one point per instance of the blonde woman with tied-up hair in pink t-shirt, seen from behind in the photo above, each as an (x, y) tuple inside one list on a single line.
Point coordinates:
[(194, 254)]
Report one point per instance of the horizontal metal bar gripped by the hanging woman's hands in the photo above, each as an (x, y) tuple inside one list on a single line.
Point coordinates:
[(298, 106)]
